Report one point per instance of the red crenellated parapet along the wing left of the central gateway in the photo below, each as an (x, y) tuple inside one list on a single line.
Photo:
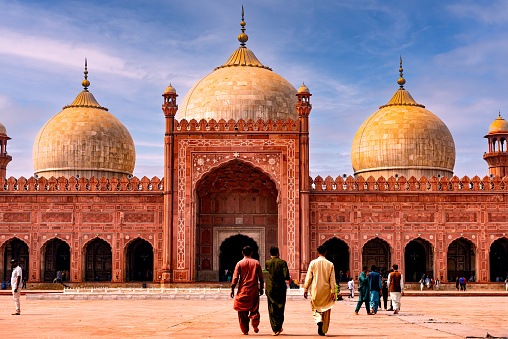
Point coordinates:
[(73, 184)]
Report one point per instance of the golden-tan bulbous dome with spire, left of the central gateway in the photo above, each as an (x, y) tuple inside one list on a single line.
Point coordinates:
[(84, 139)]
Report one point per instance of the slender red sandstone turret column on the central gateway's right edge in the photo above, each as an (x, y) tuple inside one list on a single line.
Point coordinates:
[(303, 107)]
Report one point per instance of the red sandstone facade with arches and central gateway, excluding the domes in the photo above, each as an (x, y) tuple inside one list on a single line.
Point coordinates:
[(233, 181)]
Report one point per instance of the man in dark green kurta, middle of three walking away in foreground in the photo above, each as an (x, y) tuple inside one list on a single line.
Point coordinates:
[(278, 274)]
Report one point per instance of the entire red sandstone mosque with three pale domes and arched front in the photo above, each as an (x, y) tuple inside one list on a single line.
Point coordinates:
[(236, 173)]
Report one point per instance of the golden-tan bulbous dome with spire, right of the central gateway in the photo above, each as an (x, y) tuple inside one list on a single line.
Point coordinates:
[(403, 138)]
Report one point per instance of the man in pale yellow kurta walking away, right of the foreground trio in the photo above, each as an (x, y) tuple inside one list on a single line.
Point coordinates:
[(321, 281)]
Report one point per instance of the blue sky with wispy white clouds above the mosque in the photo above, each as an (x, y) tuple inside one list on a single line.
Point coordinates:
[(347, 52)]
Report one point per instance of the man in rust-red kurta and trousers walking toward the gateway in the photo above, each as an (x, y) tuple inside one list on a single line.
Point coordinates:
[(247, 274)]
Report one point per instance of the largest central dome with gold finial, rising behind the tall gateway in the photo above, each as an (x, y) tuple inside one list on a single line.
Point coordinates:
[(242, 88)]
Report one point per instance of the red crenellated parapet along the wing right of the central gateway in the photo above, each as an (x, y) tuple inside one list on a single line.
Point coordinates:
[(412, 184)]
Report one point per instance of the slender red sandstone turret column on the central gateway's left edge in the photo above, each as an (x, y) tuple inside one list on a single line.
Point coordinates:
[(169, 108)]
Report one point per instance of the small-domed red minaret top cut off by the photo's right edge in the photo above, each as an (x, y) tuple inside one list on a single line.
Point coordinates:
[(497, 157)]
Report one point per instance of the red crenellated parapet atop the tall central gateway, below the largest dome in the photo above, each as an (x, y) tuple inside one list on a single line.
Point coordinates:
[(235, 126)]
